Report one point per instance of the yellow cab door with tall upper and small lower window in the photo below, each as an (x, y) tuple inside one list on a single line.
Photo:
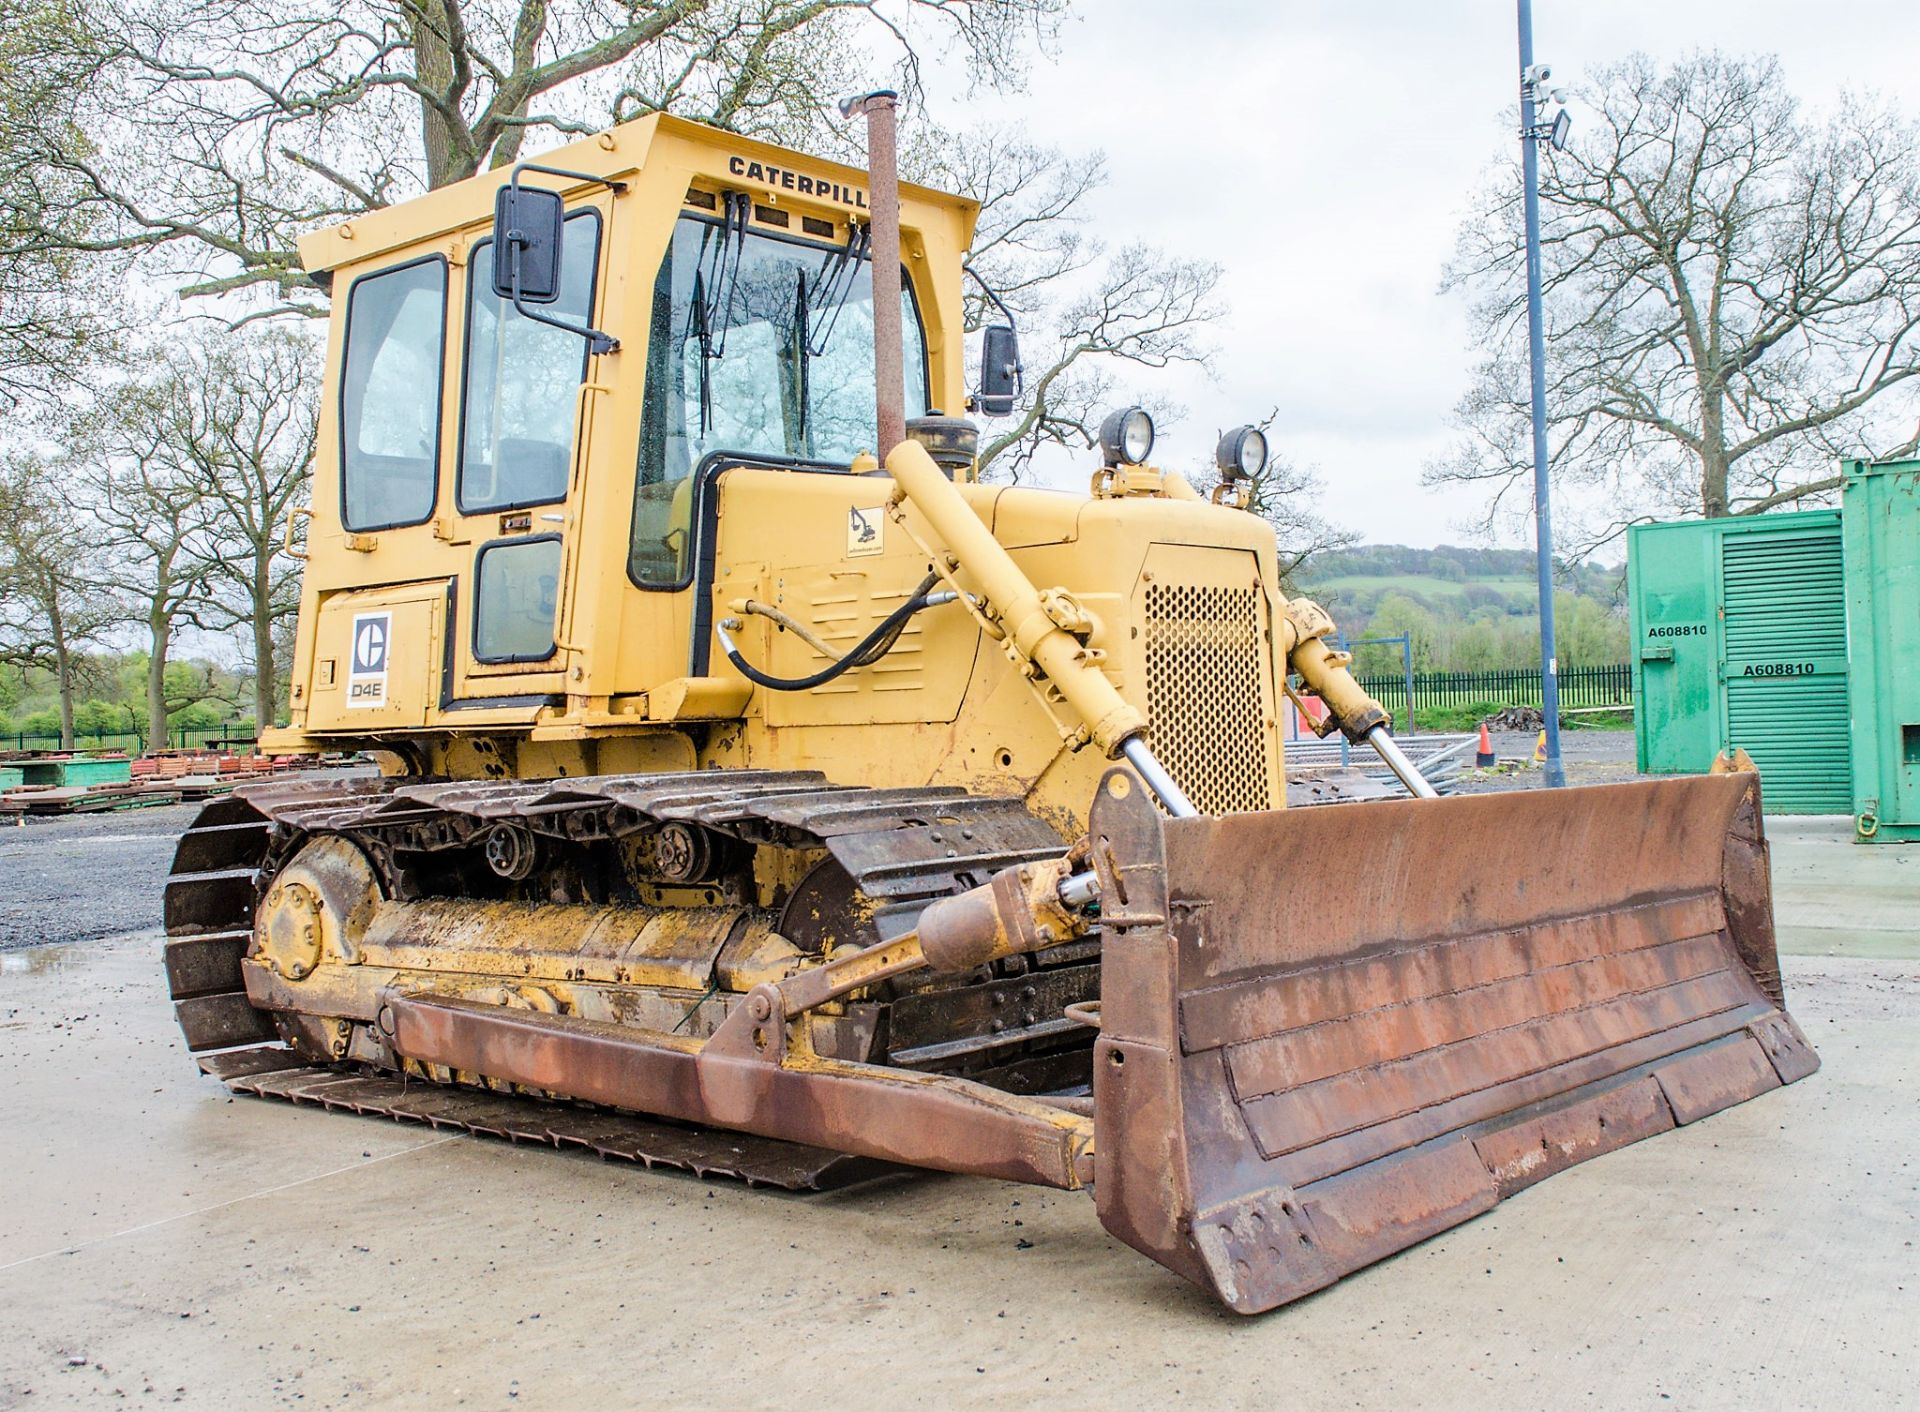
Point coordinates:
[(519, 449)]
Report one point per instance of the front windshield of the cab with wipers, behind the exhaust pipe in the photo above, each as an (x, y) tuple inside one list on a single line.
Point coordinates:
[(757, 345)]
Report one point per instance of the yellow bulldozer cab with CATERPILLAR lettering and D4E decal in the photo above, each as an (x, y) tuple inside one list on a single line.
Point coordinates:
[(698, 303)]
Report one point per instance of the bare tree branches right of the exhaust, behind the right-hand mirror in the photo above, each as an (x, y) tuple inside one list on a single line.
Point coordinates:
[(1088, 314)]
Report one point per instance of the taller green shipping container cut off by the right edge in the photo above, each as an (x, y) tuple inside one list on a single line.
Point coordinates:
[(1883, 527)]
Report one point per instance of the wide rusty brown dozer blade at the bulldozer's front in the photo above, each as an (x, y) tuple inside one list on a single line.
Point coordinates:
[(1328, 1035)]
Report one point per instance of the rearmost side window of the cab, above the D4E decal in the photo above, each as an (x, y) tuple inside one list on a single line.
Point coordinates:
[(391, 397)]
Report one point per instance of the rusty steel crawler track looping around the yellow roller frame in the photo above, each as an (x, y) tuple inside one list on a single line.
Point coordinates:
[(903, 848)]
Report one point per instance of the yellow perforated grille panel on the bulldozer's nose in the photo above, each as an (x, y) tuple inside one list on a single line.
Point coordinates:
[(1207, 673)]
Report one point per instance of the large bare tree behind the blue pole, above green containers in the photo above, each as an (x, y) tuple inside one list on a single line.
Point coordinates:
[(1731, 293)]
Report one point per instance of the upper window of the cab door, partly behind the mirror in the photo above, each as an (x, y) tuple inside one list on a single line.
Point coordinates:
[(523, 381)]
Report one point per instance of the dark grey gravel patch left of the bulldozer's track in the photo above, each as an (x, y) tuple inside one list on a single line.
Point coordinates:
[(85, 877)]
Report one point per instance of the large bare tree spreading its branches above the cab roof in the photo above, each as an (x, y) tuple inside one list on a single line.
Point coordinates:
[(210, 134)]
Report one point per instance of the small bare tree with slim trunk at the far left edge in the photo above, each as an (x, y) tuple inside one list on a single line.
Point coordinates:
[(55, 596)]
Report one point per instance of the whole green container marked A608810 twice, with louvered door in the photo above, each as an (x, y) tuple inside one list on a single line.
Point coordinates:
[(1740, 641)]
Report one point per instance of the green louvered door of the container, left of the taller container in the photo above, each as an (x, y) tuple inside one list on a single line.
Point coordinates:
[(1785, 666)]
